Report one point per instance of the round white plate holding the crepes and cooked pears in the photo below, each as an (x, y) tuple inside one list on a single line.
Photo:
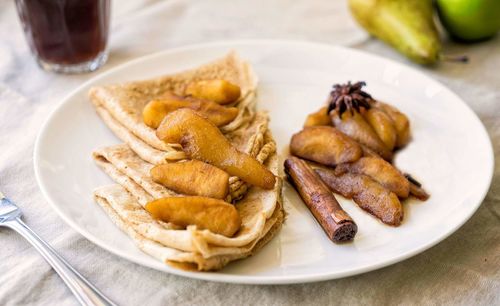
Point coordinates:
[(450, 154)]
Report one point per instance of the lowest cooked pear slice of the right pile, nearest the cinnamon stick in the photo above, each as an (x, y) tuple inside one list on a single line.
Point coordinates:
[(367, 193)]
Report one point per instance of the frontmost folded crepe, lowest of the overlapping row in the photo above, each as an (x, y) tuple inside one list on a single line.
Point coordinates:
[(150, 235)]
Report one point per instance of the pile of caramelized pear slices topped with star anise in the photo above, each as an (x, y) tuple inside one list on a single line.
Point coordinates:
[(352, 152)]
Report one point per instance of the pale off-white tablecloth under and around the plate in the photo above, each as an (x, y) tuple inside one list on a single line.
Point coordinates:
[(463, 269)]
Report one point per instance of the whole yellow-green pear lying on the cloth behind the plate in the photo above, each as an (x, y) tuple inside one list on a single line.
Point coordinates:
[(406, 25)]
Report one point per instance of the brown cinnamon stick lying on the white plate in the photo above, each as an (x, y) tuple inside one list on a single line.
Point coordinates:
[(336, 223)]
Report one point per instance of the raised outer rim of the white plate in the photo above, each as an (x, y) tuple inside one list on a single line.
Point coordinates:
[(249, 279)]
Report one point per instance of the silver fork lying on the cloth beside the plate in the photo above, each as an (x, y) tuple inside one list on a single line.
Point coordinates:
[(85, 292)]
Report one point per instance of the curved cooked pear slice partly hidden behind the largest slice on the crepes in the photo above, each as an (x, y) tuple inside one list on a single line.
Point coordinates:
[(154, 112)]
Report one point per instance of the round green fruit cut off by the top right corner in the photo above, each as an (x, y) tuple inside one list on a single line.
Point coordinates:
[(470, 20)]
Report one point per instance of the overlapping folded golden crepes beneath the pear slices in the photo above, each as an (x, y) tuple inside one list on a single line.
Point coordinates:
[(261, 211)]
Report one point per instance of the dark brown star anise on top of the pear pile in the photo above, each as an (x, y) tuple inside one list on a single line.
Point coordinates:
[(349, 97)]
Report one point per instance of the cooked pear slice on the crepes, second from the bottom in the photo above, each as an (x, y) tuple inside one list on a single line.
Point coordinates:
[(192, 177)]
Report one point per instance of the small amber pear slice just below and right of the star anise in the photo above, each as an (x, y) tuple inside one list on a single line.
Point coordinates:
[(383, 125)]
